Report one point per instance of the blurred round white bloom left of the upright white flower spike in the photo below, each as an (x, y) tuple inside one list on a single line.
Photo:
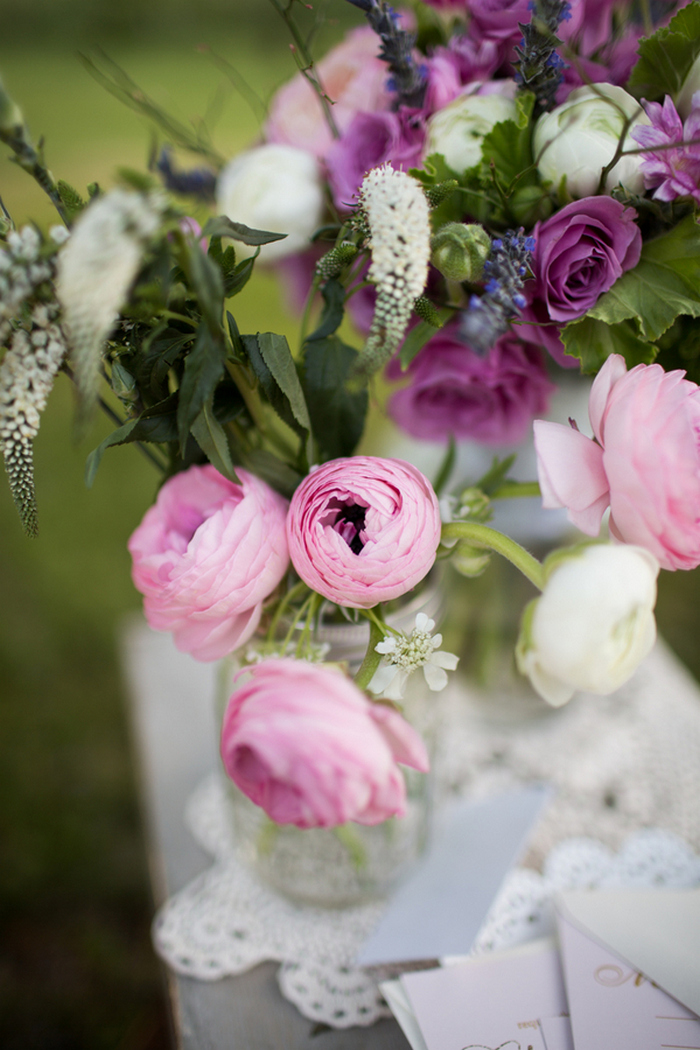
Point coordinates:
[(277, 188)]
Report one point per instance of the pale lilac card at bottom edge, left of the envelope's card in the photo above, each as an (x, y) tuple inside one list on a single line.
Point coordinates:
[(503, 1000)]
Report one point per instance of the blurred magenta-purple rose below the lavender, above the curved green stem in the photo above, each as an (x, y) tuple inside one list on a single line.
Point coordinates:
[(453, 390)]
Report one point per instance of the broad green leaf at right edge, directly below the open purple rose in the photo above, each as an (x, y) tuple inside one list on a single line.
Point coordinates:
[(644, 303)]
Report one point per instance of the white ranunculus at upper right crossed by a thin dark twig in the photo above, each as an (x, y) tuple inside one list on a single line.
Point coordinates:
[(580, 138)]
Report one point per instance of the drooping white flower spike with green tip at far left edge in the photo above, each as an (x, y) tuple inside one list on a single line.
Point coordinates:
[(27, 377)]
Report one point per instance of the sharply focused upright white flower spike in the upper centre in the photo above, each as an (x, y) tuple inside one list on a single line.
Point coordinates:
[(398, 216)]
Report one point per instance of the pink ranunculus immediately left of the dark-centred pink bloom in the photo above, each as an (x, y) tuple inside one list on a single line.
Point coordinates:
[(206, 556)]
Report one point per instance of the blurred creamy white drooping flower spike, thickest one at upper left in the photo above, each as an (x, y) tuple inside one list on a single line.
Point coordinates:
[(96, 270)]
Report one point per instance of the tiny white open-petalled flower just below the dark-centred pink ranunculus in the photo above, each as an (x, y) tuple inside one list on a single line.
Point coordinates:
[(407, 654)]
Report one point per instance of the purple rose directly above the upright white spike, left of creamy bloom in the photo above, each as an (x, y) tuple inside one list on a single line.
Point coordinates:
[(374, 139)]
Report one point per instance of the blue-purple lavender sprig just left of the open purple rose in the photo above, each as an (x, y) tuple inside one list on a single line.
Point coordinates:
[(506, 270)]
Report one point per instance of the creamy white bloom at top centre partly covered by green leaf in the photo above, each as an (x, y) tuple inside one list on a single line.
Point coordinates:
[(458, 131)]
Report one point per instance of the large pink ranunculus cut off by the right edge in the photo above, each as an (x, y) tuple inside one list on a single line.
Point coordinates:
[(644, 463)]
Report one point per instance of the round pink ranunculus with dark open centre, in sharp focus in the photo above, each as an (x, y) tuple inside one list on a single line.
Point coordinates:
[(364, 530)]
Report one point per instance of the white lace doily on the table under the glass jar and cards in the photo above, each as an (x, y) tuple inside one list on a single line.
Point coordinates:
[(619, 763)]
